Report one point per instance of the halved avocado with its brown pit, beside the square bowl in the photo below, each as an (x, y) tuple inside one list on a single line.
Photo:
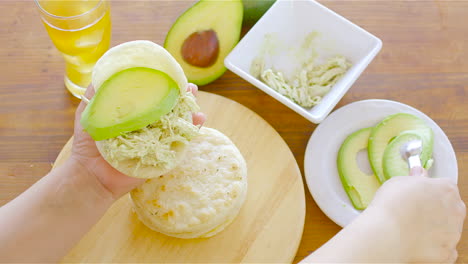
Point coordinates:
[(203, 36)]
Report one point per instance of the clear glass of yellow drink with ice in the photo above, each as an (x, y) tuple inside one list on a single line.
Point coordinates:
[(81, 31)]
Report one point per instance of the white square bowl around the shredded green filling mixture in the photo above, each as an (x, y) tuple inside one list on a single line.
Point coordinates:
[(290, 22)]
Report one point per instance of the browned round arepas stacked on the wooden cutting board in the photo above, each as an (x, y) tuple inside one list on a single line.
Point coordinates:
[(201, 196)]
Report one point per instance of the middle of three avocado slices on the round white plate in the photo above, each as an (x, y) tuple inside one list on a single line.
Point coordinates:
[(390, 128)]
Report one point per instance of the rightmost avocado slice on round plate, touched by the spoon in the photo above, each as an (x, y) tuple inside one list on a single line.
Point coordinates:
[(393, 163)]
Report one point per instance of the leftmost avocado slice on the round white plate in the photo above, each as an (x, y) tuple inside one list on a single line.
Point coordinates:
[(359, 186)]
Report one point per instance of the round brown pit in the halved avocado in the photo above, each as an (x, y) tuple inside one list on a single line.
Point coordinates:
[(201, 48)]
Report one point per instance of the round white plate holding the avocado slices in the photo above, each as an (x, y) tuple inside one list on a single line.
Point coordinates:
[(320, 158)]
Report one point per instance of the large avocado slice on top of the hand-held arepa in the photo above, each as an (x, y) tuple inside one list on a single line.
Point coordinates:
[(129, 100)]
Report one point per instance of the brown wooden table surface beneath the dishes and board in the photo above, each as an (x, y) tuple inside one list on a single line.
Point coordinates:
[(423, 63)]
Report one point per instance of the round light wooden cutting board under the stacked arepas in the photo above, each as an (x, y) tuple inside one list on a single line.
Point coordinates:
[(267, 229)]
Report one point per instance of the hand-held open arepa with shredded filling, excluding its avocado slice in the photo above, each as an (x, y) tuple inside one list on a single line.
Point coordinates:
[(159, 147)]
